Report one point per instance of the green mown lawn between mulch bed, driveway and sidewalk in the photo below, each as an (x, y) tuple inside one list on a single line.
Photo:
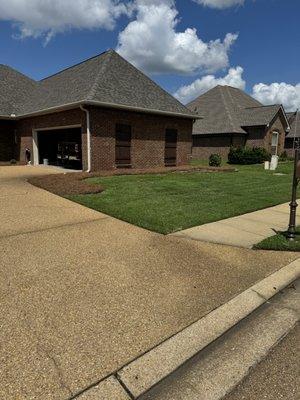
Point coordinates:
[(169, 202)]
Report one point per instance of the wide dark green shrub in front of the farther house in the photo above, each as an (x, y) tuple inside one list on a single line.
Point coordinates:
[(247, 156)]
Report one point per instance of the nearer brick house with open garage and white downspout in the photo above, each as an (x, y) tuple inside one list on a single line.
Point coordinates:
[(110, 112)]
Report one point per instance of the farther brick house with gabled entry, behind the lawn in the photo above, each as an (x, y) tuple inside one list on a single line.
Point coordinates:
[(230, 117)]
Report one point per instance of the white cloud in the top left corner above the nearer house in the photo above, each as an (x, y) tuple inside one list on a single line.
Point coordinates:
[(35, 18)]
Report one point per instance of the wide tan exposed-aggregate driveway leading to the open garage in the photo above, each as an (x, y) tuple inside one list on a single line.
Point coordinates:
[(81, 293)]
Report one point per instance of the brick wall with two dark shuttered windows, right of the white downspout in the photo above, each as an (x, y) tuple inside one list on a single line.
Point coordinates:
[(148, 138)]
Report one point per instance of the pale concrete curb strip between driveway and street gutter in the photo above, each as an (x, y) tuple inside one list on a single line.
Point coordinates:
[(140, 375)]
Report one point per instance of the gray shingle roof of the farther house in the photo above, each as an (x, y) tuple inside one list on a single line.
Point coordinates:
[(229, 110)]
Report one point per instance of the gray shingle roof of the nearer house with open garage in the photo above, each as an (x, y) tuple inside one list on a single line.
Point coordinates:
[(107, 79)]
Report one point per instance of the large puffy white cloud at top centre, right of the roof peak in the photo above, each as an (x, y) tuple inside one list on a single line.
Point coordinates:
[(152, 43)]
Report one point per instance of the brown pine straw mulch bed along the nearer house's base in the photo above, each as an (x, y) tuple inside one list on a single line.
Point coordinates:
[(73, 183)]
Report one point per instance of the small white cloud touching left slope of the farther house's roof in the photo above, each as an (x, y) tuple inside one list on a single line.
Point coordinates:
[(188, 93)]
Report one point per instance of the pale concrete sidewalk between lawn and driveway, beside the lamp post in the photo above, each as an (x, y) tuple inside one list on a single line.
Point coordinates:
[(242, 231)]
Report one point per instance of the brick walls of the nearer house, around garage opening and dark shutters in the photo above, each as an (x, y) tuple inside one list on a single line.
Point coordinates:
[(148, 135)]
